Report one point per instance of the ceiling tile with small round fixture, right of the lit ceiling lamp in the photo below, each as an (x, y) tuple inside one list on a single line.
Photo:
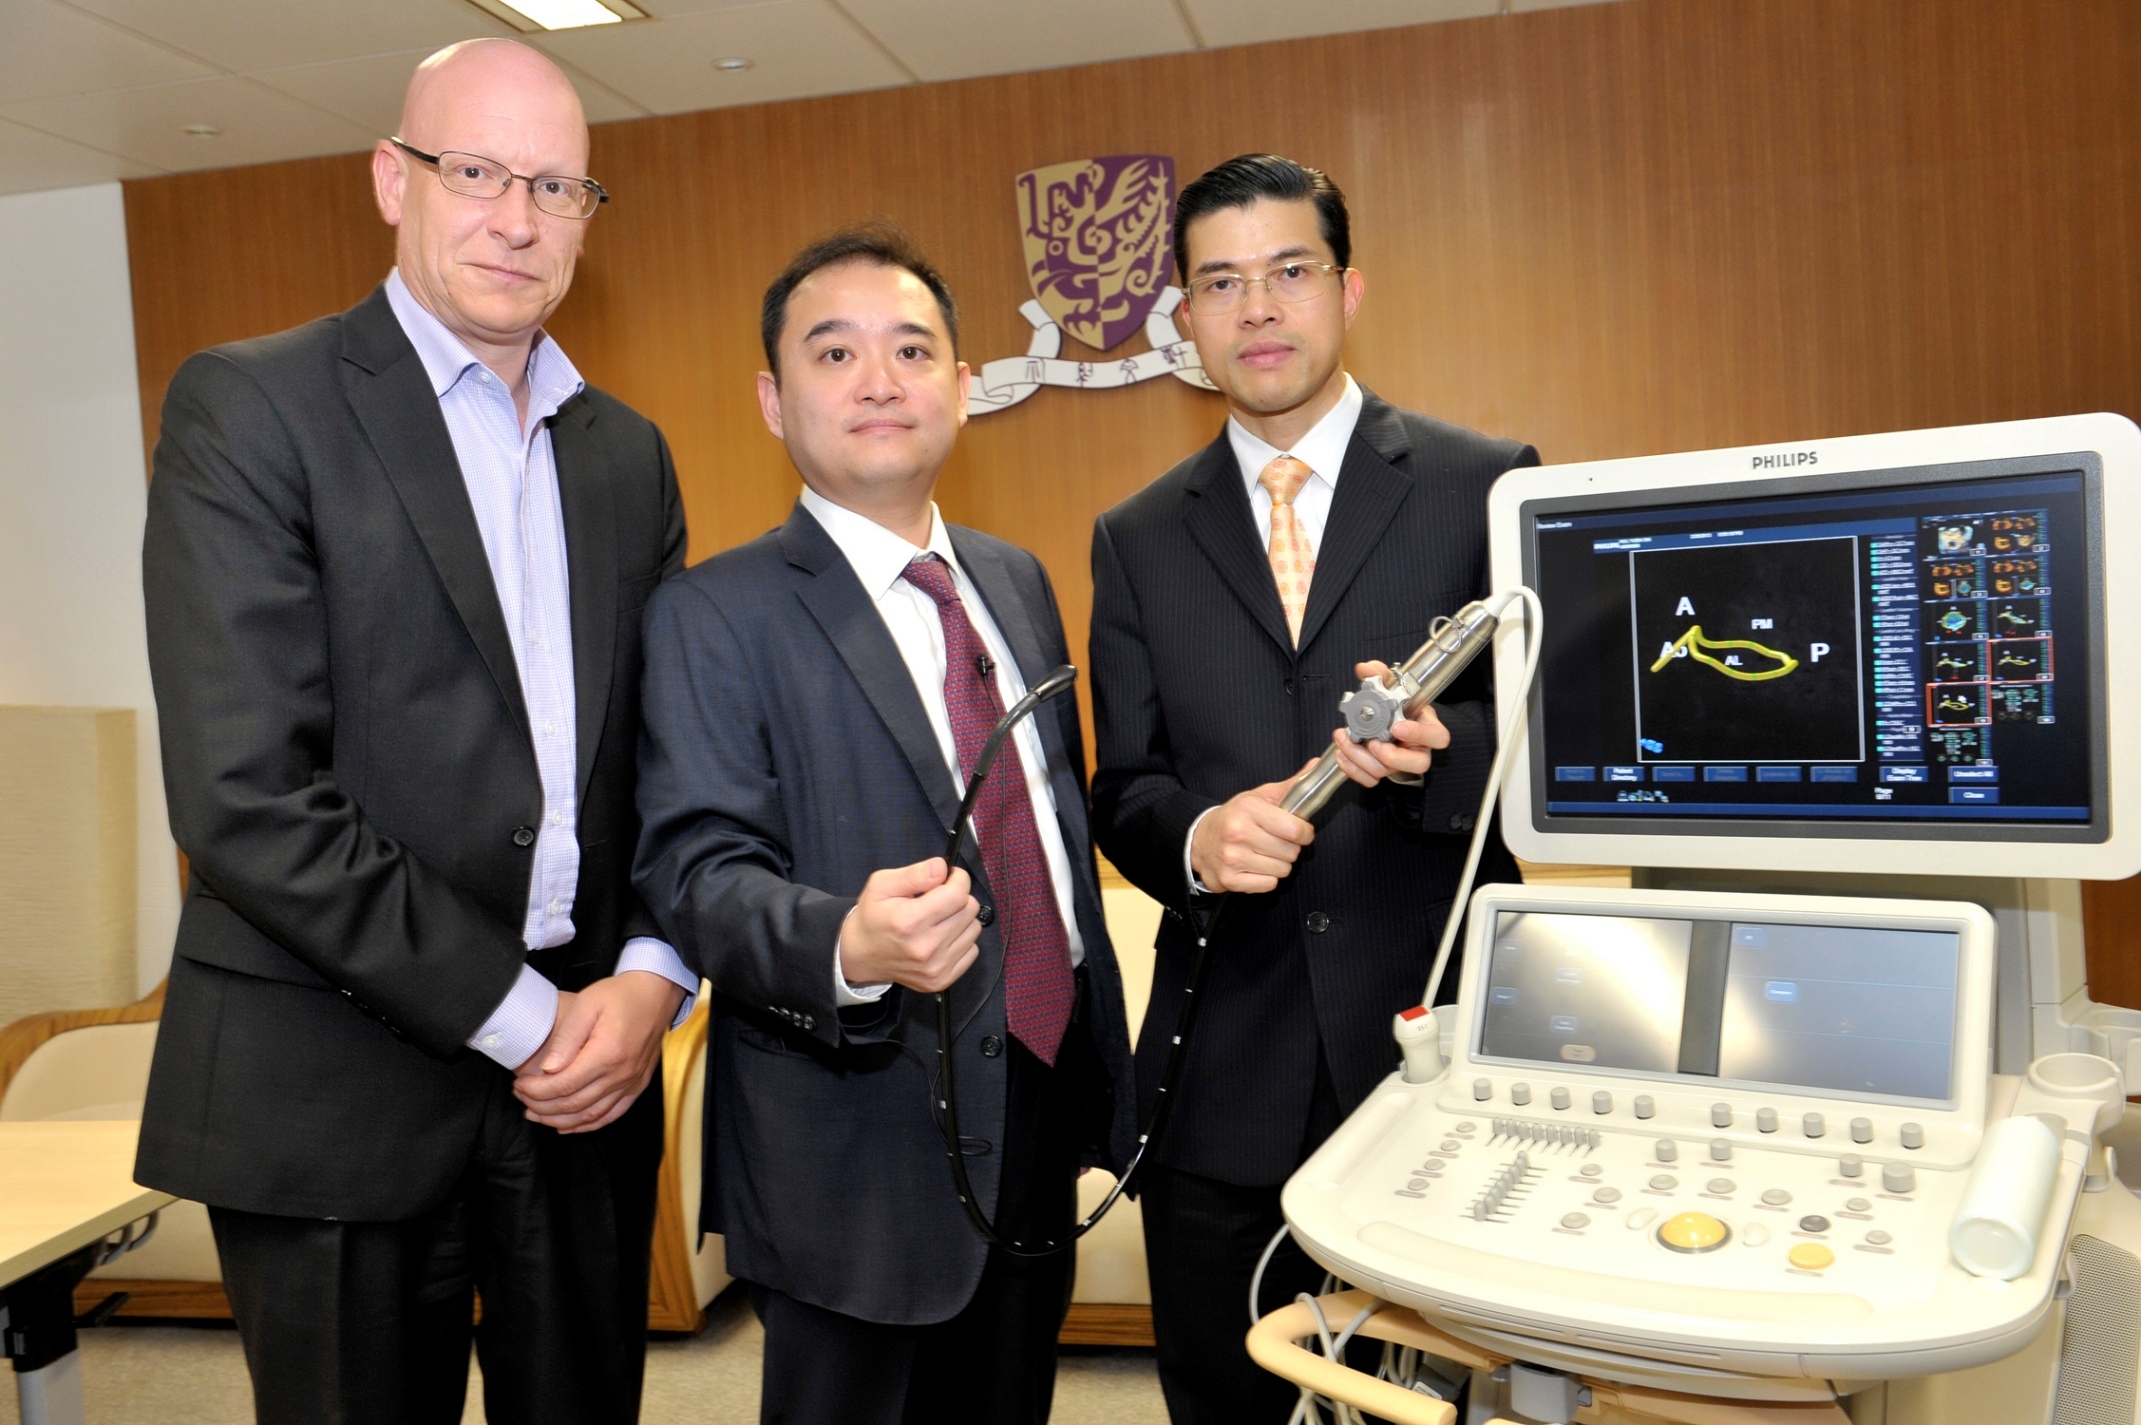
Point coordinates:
[(798, 48)]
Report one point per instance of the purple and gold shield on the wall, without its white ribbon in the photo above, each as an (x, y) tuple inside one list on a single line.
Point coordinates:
[(1099, 241)]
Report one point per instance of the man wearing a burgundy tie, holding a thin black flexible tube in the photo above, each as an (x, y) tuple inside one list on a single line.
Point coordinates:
[(815, 703)]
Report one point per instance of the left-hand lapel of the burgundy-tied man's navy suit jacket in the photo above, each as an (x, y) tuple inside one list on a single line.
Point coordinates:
[(849, 617)]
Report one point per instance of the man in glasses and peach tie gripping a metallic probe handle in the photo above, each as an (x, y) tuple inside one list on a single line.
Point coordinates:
[(1234, 602)]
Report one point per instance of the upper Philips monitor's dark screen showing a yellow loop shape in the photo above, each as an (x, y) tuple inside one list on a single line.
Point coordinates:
[(1902, 654)]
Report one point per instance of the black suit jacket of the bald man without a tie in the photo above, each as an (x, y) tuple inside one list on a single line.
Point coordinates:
[(350, 769)]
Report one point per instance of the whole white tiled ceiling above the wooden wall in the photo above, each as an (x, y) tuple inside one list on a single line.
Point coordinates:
[(106, 89)]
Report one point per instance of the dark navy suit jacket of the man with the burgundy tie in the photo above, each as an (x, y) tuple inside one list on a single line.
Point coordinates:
[(785, 759)]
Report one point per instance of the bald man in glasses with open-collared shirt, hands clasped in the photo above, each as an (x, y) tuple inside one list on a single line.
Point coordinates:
[(395, 572)]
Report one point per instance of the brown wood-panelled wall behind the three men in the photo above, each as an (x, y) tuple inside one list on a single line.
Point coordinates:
[(1609, 230)]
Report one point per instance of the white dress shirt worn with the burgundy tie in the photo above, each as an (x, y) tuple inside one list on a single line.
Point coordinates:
[(879, 560)]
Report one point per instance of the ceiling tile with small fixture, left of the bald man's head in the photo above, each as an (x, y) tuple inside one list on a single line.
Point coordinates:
[(149, 125)]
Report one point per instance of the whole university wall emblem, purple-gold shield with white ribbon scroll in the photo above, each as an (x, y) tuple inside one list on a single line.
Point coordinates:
[(1099, 241)]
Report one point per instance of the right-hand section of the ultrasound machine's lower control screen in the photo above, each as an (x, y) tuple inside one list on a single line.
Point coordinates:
[(1840, 1009)]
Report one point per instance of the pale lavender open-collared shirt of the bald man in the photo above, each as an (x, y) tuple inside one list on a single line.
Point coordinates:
[(511, 474)]
